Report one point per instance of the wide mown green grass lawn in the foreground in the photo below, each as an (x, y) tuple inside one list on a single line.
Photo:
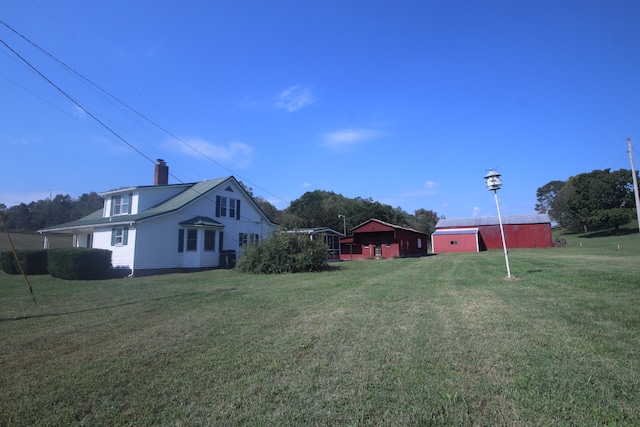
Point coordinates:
[(437, 340)]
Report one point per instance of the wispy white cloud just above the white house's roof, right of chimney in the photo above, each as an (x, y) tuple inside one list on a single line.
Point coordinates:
[(236, 152)]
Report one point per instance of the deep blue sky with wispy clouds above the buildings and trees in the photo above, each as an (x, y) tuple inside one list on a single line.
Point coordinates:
[(408, 103)]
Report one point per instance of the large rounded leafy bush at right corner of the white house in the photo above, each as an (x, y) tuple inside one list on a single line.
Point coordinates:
[(285, 253)]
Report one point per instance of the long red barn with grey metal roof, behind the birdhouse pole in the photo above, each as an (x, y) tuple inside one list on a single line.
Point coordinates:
[(482, 233)]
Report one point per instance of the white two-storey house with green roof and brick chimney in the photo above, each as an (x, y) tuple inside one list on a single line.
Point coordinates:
[(166, 228)]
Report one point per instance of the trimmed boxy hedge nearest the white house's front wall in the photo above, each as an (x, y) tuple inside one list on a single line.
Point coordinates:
[(79, 263)]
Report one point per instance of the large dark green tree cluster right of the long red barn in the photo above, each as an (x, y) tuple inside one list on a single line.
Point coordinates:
[(601, 198)]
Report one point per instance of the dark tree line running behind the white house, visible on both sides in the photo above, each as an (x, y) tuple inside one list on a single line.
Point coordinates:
[(312, 210)]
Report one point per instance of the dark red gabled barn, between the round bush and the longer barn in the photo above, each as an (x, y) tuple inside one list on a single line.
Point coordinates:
[(379, 239)]
